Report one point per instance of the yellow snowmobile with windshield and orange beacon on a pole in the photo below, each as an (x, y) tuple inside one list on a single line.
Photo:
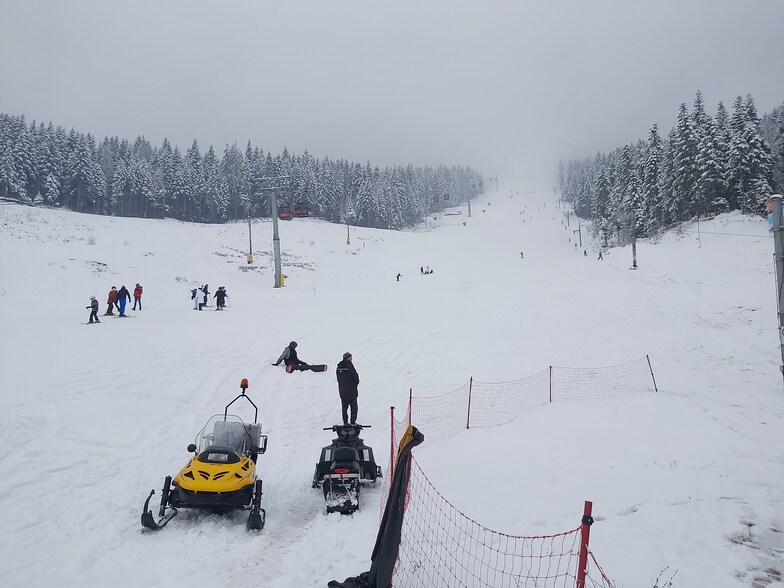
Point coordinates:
[(221, 476)]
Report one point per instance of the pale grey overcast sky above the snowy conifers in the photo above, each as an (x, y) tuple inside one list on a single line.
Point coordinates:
[(506, 86)]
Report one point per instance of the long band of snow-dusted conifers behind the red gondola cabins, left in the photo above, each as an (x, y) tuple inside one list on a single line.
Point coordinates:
[(47, 165)]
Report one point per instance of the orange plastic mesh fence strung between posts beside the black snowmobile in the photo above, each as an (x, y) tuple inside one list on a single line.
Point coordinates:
[(440, 546)]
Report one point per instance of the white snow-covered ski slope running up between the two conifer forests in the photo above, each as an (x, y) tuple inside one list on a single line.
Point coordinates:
[(94, 416)]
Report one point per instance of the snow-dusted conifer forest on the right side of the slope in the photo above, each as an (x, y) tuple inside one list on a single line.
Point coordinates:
[(704, 166)]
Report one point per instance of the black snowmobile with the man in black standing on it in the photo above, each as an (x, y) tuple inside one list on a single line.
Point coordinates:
[(343, 467)]
